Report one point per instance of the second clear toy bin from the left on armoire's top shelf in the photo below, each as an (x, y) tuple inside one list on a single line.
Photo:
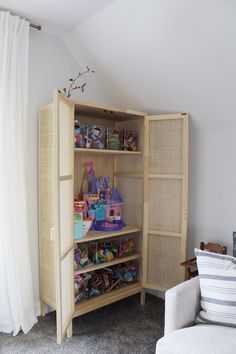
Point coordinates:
[(96, 137)]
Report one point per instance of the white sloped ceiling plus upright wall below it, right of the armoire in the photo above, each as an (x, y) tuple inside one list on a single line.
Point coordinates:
[(164, 56)]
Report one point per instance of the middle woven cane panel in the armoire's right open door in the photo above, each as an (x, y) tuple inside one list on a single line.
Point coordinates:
[(165, 206)]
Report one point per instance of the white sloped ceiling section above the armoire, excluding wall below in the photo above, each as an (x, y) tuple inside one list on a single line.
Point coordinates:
[(164, 56)]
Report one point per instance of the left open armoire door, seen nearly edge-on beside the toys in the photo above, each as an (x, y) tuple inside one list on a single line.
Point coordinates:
[(64, 114)]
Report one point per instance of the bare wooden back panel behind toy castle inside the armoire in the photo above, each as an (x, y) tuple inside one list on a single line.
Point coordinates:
[(102, 165)]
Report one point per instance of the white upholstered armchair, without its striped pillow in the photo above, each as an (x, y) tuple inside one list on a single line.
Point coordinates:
[(182, 336)]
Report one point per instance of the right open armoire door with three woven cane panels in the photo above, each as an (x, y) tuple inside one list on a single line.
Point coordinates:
[(165, 200)]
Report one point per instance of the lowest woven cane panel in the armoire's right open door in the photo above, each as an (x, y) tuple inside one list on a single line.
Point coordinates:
[(163, 257)]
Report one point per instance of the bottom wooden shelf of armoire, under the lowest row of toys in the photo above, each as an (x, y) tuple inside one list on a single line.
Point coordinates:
[(106, 299)]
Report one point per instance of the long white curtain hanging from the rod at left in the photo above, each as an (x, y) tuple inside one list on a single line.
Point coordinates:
[(16, 290)]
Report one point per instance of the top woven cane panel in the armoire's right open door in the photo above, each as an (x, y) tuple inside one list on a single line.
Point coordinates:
[(166, 146)]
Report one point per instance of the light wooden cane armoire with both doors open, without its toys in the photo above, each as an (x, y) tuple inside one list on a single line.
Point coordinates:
[(153, 182)]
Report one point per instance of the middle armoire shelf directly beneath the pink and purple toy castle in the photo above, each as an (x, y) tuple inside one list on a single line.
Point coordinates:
[(98, 235)]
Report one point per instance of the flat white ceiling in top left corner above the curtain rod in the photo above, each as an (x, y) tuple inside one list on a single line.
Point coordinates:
[(57, 17)]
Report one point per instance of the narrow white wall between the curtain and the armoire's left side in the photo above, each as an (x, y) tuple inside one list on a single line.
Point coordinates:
[(50, 66)]
